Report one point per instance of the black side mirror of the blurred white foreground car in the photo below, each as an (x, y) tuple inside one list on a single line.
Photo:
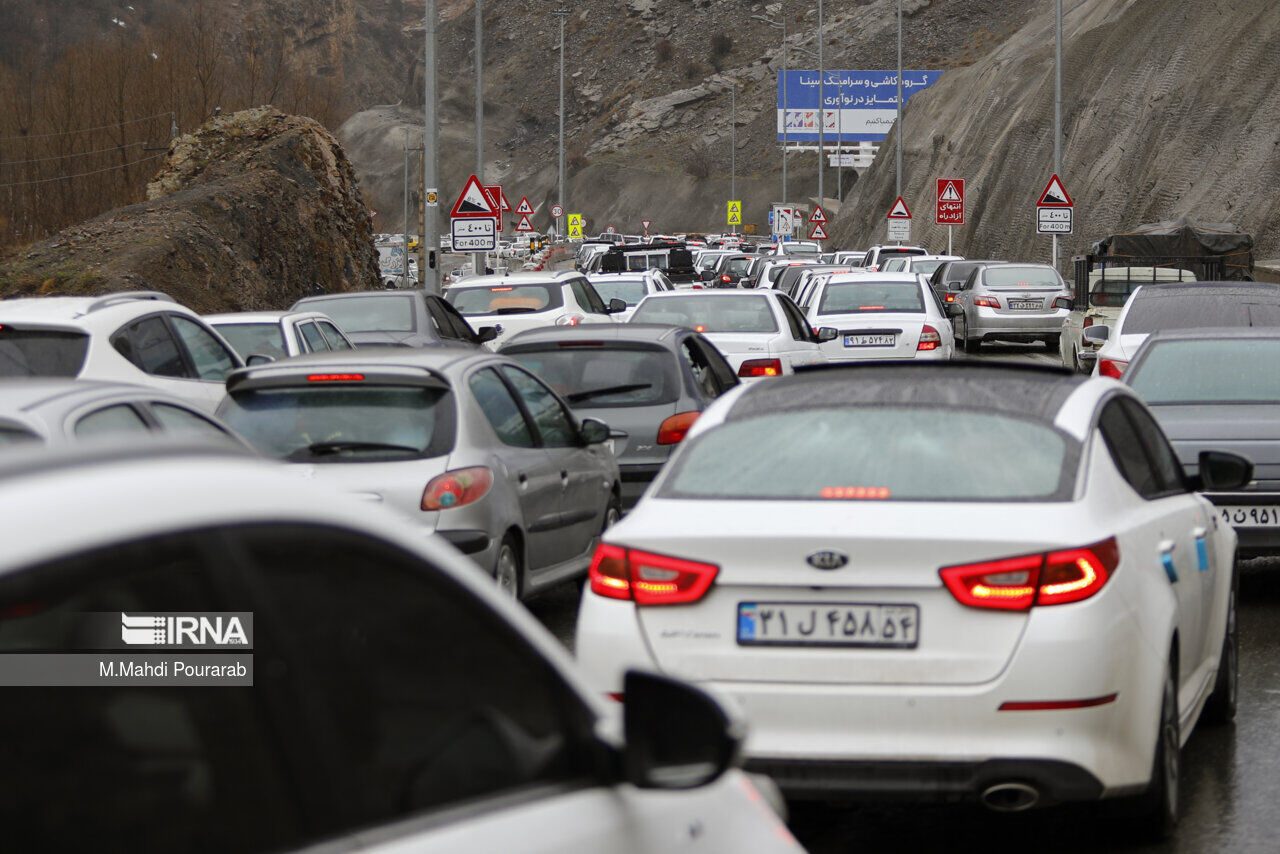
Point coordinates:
[(678, 736)]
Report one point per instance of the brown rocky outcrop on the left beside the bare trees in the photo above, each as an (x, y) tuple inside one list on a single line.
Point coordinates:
[(249, 213)]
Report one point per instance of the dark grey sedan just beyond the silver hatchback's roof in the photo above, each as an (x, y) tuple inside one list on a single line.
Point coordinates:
[(397, 319)]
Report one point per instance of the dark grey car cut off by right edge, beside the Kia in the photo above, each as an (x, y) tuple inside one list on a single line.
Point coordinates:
[(1220, 390)]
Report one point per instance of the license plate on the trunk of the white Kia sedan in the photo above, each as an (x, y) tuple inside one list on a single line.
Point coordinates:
[(812, 624)]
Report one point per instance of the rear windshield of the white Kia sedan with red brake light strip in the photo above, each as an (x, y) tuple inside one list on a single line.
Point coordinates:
[(877, 453)]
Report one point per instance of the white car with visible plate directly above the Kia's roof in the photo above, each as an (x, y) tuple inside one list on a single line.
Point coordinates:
[(880, 316)]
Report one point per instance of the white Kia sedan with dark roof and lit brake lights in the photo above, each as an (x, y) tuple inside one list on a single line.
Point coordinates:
[(1043, 625)]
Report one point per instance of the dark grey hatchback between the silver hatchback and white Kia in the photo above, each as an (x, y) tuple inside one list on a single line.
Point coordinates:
[(647, 380)]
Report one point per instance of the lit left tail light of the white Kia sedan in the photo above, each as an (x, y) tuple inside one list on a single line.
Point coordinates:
[(648, 579)]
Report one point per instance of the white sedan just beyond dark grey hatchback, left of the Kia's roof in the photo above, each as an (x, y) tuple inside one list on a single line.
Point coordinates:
[(762, 334)]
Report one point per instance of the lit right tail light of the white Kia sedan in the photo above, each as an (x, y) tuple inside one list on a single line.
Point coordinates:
[(1018, 583)]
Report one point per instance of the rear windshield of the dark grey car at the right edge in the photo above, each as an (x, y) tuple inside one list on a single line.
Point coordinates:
[(1209, 372)]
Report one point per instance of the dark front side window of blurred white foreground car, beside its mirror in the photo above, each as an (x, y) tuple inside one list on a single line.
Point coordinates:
[(412, 729)]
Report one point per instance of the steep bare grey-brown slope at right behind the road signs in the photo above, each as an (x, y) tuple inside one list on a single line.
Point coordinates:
[(1169, 109)]
